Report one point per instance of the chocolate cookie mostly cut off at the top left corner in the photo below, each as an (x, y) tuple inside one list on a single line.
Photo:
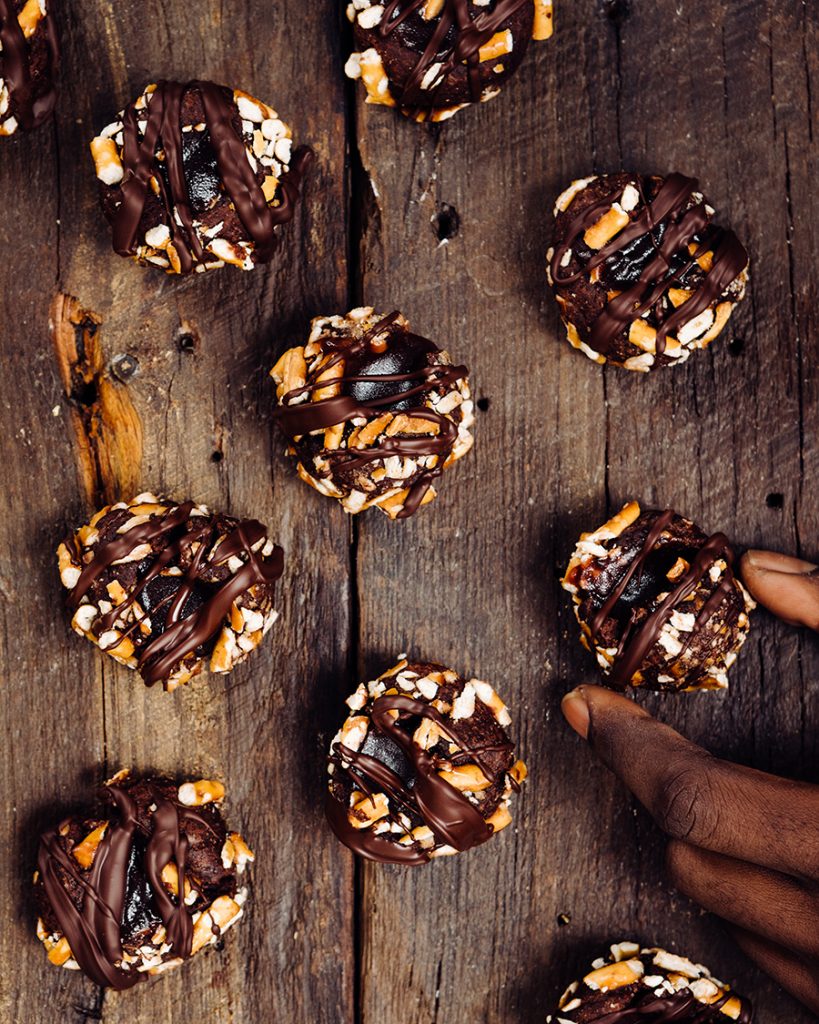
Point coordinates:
[(29, 63)]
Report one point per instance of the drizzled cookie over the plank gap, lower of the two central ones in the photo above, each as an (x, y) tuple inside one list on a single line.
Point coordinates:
[(423, 767)]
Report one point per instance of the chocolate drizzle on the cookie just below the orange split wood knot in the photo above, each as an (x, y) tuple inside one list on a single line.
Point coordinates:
[(183, 620)]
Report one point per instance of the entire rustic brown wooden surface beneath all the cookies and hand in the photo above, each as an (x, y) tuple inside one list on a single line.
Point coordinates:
[(723, 91)]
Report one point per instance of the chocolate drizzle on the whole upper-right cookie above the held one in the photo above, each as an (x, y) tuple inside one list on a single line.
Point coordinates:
[(679, 232)]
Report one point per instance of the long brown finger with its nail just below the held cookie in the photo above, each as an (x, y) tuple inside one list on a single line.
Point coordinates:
[(694, 796)]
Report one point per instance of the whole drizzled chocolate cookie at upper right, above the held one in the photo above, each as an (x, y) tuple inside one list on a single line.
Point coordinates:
[(642, 275)]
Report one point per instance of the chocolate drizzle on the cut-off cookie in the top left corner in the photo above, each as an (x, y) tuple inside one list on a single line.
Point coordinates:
[(32, 101)]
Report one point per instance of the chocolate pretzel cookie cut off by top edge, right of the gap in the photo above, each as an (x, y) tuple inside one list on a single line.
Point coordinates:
[(432, 58)]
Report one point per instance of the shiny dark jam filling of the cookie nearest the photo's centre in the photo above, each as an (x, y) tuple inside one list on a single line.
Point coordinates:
[(407, 355)]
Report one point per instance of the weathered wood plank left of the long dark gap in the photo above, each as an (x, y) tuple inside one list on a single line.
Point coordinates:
[(207, 436)]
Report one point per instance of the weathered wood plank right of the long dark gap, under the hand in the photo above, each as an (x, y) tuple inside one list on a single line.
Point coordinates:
[(473, 580)]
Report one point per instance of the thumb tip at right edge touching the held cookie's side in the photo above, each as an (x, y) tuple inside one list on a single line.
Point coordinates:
[(788, 587)]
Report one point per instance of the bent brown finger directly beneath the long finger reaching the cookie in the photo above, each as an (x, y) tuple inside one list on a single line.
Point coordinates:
[(773, 906)]
